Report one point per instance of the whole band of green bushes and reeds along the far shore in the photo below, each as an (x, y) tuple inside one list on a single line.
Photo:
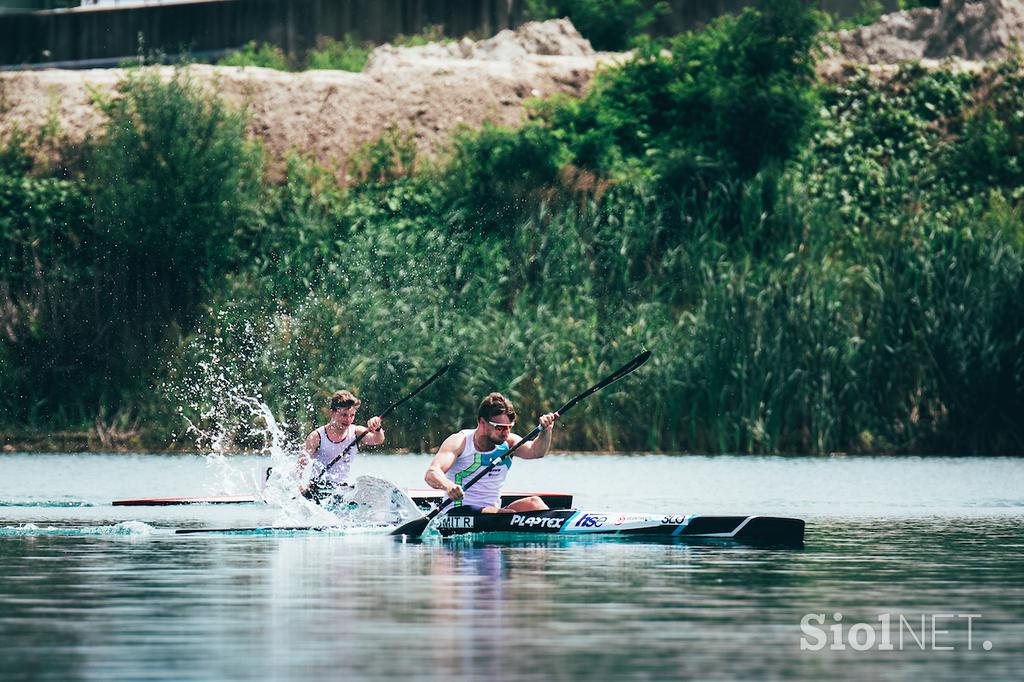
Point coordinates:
[(818, 267)]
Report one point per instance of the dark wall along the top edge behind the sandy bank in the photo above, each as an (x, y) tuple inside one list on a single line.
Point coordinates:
[(98, 36)]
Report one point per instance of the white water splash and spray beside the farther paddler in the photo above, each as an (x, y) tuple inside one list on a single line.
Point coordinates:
[(223, 402)]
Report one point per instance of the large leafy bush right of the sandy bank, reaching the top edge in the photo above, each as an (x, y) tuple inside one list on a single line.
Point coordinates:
[(739, 94)]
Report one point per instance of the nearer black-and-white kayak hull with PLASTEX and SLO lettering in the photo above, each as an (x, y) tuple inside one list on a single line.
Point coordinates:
[(745, 530)]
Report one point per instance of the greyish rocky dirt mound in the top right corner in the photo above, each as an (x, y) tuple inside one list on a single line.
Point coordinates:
[(959, 29)]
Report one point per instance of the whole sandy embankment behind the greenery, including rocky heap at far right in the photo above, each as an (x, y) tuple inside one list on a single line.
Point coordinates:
[(431, 91)]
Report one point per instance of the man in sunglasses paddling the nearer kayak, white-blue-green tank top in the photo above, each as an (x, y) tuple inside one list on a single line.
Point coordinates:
[(464, 453)]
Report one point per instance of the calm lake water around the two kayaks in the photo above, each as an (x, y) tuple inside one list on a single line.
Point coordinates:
[(932, 546)]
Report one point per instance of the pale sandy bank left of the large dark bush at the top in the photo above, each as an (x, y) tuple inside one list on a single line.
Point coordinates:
[(428, 91)]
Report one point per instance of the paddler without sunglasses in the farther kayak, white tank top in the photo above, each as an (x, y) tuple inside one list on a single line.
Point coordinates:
[(328, 442)]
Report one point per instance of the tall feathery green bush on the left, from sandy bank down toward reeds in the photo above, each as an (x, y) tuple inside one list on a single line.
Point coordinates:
[(176, 188)]
